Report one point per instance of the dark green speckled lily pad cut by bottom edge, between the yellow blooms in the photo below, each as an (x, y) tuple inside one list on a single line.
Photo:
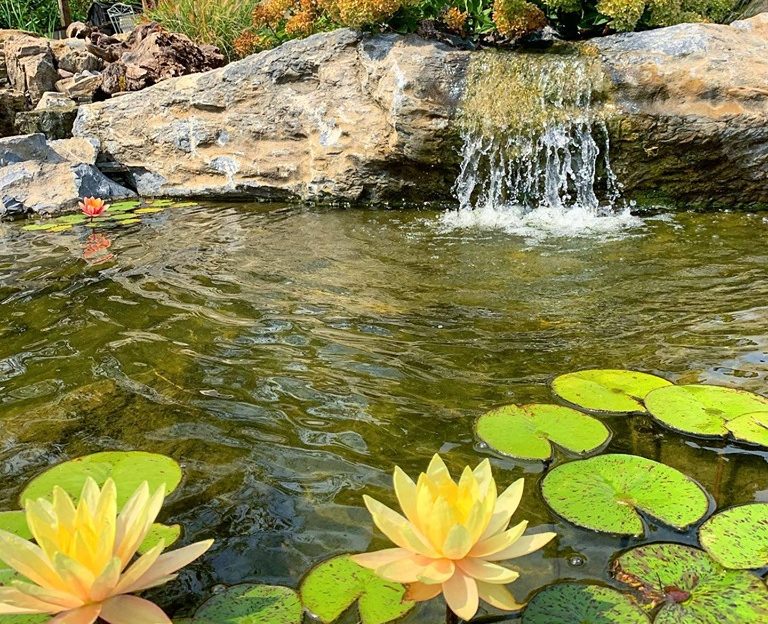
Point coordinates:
[(250, 604)]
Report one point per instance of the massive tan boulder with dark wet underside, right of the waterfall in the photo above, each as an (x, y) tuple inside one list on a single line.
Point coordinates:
[(692, 123)]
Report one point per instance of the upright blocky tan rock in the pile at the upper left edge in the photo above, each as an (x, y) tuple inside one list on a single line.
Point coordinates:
[(30, 65)]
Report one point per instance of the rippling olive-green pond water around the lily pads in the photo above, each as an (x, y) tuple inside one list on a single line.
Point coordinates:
[(289, 357)]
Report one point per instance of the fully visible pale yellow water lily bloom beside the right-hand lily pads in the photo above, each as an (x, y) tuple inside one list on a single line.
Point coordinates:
[(450, 537)]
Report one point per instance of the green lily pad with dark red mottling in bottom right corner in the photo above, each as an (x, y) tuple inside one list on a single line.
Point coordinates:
[(691, 587)]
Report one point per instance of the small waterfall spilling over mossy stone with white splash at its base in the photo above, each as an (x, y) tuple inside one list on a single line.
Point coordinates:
[(536, 153)]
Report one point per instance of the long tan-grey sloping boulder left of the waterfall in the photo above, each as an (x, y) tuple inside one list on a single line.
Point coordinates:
[(337, 115)]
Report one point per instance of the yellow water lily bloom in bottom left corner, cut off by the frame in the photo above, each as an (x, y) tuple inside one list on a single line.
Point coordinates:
[(79, 568)]
